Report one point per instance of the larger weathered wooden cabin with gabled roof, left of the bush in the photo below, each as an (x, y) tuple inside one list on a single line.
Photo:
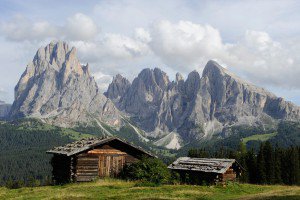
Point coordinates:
[(90, 158)]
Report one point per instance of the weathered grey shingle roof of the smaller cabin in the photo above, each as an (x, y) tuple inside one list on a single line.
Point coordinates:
[(209, 165)]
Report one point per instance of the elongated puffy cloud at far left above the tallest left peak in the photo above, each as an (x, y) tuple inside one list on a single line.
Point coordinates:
[(77, 27)]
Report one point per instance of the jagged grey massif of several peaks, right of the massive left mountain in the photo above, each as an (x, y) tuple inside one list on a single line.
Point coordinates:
[(180, 111)]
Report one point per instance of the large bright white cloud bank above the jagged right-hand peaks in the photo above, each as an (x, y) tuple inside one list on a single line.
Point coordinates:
[(185, 46)]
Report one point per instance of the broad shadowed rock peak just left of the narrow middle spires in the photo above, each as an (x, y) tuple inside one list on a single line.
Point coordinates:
[(143, 98)]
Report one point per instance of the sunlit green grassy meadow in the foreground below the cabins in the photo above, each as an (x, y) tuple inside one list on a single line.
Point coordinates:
[(117, 189)]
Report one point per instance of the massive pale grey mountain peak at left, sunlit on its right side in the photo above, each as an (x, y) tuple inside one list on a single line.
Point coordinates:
[(58, 89)]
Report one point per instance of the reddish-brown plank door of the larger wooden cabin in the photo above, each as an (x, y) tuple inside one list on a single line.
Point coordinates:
[(110, 165)]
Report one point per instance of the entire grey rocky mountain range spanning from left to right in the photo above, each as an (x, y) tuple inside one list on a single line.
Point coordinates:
[(152, 109)]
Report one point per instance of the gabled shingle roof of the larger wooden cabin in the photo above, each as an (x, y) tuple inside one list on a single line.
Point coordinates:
[(89, 143)]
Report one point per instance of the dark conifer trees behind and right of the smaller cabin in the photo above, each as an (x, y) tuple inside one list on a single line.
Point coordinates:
[(269, 165)]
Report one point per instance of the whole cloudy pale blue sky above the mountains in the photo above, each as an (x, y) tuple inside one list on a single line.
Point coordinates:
[(257, 40)]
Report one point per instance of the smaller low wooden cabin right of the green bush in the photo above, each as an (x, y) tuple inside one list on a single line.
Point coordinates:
[(206, 170)]
